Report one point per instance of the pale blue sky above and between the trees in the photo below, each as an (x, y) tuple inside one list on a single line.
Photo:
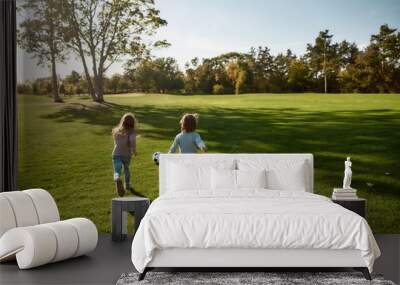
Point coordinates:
[(205, 28)]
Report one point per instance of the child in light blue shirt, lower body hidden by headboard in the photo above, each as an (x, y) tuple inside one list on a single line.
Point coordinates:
[(188, 140)]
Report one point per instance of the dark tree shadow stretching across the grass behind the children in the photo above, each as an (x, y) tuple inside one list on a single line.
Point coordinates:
[(370, 137)]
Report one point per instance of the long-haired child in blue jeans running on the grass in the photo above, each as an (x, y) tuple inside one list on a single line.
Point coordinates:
[(124, 135)]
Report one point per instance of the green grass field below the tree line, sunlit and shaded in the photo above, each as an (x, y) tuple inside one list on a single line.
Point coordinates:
[(66, 148)]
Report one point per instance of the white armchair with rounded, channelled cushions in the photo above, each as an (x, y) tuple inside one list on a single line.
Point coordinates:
[(31, 230)]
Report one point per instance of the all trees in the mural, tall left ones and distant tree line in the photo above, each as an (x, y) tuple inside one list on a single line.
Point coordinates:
[(102, 31)]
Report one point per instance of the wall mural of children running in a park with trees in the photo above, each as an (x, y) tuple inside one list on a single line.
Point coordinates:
[(84, 64)]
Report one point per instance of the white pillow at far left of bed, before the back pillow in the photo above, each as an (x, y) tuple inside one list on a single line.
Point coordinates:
[(185, 178)]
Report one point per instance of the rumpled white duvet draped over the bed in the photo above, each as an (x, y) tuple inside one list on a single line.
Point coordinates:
[(250, 219)]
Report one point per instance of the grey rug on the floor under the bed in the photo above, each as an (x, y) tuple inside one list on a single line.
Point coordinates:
[(244, 278)]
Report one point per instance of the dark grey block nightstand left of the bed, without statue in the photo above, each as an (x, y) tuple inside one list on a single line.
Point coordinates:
[(120, 206)]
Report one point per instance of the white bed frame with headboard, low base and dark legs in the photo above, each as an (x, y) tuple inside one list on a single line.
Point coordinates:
[(251, 258)]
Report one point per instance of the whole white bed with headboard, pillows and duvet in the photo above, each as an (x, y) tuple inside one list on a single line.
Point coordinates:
[(282, 224)]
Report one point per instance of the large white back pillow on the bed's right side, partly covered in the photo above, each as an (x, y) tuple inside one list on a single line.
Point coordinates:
[(288, 175)]
